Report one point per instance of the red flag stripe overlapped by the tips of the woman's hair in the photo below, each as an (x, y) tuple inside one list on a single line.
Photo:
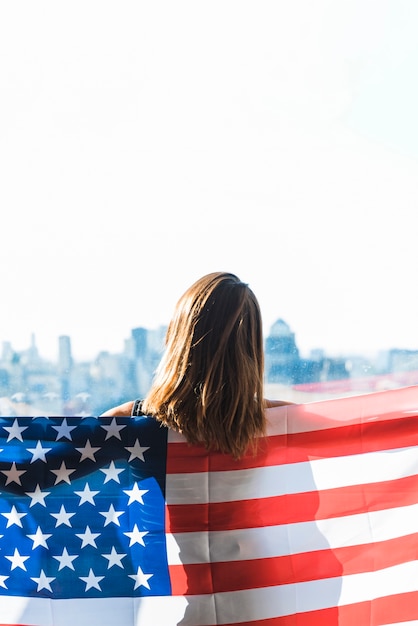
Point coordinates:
[(299, 447)]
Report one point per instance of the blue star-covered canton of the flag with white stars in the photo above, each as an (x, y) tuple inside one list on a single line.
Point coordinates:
[(82, 507)]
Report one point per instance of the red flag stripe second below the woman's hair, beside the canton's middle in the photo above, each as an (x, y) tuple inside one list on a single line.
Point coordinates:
[(292, 508)]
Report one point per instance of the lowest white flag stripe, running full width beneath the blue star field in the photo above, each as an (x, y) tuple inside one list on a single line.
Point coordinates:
[(233, 607)]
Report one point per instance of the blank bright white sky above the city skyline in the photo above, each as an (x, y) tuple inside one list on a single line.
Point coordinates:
[(143, 144)]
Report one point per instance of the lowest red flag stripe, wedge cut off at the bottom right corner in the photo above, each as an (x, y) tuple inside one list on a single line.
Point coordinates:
[(378, 612)]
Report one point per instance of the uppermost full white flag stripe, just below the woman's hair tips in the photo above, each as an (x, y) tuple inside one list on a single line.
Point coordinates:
[(316, 475)]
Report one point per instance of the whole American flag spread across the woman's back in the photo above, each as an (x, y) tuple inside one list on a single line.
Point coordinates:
[(117, 521)]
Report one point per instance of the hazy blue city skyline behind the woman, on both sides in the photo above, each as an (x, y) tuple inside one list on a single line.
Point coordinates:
[(32, 385)]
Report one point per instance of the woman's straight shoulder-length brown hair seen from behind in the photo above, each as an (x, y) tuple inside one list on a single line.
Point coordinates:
[(209, 384)]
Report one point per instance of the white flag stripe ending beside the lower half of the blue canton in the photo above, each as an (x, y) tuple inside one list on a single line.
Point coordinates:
[(274, 541)]
